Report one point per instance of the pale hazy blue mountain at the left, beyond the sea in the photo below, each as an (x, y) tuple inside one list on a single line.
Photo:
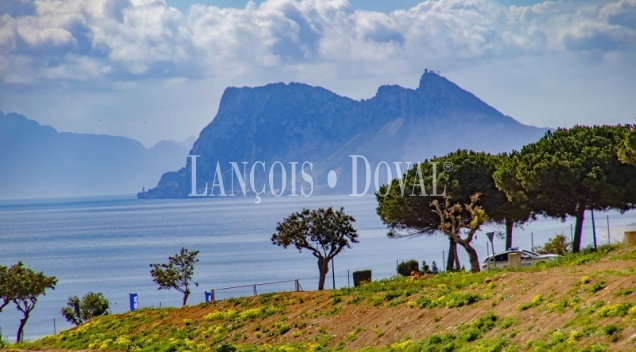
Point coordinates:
[(38, 161)]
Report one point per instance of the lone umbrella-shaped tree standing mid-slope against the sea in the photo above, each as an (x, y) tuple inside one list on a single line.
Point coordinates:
[(324, 232)]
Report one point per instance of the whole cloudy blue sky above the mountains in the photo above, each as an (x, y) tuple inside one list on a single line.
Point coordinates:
[(154, 70)]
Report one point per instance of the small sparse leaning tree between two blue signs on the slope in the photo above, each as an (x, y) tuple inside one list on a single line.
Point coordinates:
[(177, 273)]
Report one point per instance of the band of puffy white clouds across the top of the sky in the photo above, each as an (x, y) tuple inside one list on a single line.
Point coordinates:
[(138, 39)]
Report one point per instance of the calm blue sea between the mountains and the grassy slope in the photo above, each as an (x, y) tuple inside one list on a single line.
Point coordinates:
[(106, 245)]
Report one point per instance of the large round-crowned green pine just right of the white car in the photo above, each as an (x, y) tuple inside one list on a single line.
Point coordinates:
[(568, 171)]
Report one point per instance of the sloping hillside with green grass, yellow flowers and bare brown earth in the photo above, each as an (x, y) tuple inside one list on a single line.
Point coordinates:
[(582, 302)]
